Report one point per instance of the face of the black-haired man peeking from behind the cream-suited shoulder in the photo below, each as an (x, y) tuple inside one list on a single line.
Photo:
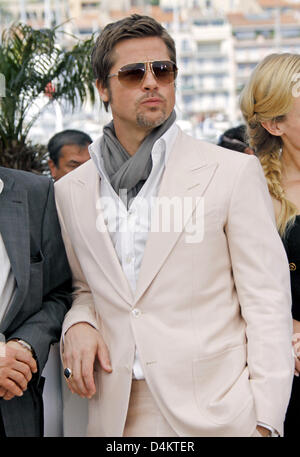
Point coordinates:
[(71, 156)]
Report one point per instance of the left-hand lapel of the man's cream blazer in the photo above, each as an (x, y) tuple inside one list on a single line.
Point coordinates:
[(94, 232)]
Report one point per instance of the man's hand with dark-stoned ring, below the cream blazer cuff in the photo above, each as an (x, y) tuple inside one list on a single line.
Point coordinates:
[(82, 344)]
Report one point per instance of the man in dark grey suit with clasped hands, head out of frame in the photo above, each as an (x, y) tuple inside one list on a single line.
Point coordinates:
[(35, 291)]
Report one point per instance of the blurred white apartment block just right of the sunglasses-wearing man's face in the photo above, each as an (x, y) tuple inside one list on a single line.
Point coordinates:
[(205, 80)]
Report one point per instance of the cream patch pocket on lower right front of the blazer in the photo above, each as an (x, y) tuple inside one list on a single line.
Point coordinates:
[(221, 385)]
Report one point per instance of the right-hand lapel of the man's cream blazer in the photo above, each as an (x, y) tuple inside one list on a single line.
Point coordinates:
[(184, 183)]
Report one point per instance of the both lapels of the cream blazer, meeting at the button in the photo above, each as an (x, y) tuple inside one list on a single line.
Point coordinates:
[(183, 179)]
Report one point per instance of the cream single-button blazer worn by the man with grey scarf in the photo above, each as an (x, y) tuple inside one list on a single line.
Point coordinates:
[(211, 315)]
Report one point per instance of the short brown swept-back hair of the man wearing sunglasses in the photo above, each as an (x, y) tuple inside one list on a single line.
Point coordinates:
[(134, 26)]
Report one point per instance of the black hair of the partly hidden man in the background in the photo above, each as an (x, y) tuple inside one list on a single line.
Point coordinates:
[(63, 138)]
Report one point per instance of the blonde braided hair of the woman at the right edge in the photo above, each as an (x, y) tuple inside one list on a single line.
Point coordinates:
[(269, 95)]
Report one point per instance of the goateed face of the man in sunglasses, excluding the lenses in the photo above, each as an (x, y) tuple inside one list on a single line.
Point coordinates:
[(150, 103)]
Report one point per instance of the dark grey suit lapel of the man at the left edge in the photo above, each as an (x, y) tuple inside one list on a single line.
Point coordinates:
[(14, 228)]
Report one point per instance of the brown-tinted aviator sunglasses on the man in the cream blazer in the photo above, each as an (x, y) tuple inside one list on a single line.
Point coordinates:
[(131, 75)]
